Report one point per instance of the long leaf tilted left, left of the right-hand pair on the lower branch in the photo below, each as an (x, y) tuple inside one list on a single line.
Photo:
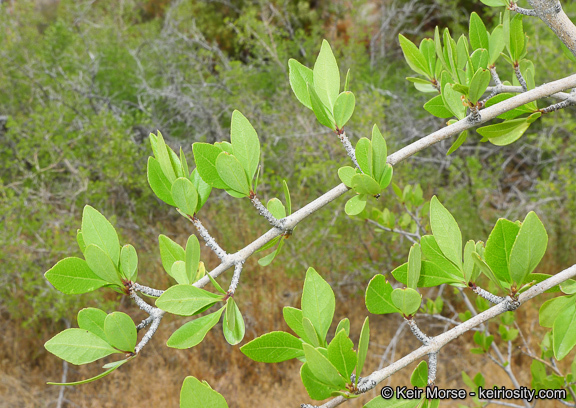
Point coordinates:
[(446, 232)]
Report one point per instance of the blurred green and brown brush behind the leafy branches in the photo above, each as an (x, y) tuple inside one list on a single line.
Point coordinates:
[(83, 83)]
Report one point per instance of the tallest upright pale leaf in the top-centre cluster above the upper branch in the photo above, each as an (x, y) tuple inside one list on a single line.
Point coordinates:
[(326, 76)]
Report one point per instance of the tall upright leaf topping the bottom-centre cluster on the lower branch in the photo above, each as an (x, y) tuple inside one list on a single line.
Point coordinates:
[(318, 302)]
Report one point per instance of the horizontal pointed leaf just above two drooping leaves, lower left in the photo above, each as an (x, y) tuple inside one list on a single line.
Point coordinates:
[(186, 300)]
